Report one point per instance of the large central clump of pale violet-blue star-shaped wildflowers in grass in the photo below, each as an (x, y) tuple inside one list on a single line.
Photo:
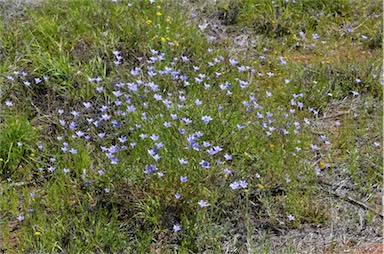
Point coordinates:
[(144, 125)]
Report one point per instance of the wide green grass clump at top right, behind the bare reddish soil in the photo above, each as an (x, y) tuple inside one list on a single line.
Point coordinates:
[(284, 19)]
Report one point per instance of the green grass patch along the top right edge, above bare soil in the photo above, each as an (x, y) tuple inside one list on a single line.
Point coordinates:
[(285, 18)]
